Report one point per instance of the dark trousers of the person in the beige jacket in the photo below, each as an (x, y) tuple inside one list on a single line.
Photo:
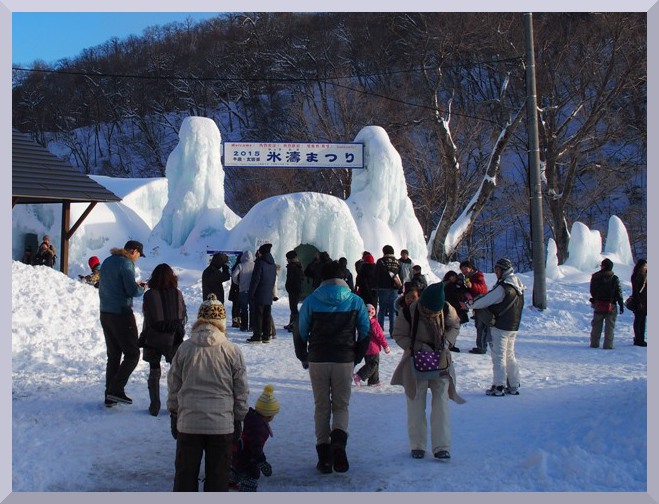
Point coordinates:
[(189, 450)]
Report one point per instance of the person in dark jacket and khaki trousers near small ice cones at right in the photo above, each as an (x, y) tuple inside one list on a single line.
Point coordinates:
[(605, 292)]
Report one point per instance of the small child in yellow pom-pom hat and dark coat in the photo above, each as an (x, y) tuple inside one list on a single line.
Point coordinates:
[(249, 461)]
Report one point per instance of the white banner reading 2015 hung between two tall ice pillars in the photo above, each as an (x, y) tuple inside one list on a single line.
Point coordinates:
[(293, 155)]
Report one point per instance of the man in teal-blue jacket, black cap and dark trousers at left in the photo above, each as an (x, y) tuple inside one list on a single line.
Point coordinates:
[(116, 292)]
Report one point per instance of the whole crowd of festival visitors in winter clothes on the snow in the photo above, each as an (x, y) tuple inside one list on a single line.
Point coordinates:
[(338, 332)]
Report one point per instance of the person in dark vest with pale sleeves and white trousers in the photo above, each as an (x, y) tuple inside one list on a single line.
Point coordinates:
[(506, 301)]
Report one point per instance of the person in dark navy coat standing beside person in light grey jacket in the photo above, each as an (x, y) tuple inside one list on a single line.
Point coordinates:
[(261, 289)]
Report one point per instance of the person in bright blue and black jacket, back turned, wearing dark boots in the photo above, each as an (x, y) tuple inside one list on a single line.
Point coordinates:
[(331, 338)]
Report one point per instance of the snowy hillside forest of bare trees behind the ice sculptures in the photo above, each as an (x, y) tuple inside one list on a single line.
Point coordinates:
[(449, 89)]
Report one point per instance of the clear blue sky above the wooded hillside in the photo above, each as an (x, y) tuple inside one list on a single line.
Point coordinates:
[(50, 36)]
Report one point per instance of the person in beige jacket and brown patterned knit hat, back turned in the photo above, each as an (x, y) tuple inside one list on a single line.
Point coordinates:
[(207, 400)]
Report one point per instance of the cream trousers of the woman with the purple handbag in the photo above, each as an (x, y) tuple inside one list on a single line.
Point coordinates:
[(440, 420)]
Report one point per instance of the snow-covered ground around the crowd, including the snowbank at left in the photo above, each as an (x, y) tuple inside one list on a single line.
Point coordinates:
[(579, 424)]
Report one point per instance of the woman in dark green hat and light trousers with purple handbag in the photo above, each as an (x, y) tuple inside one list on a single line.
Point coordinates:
[(425, 334)]
